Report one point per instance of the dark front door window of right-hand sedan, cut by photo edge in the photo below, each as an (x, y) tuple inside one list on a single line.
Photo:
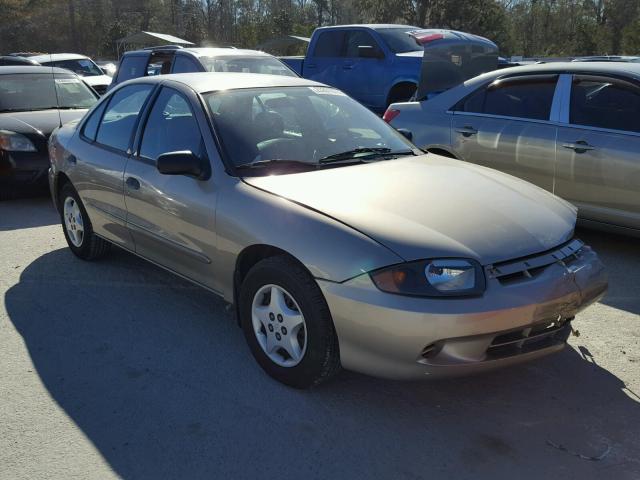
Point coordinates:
[(605, 102)]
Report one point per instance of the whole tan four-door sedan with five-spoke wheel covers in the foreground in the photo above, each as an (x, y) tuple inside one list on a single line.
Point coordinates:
[(338, 242)]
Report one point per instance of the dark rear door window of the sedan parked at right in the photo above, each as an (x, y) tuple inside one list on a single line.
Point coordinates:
[(519, 97)]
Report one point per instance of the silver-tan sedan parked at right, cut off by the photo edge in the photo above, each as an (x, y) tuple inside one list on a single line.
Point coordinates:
[(570, 128)]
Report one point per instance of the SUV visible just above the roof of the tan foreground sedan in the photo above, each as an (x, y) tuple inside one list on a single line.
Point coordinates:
[(175, 59)]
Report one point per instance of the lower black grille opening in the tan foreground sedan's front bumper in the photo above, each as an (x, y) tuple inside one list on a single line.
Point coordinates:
[(536, 337)]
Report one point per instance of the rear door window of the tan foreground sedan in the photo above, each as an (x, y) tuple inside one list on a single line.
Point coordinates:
[(121, 116)]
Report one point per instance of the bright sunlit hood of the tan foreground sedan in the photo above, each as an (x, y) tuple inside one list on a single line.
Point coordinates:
[(431, 206)]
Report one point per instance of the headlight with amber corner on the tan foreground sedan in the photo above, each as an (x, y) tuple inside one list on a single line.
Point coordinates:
[(443, 277)]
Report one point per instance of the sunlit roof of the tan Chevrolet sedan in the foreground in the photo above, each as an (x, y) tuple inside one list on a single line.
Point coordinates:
[(215, 81)]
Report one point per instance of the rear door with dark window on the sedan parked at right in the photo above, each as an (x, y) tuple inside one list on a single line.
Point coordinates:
[(507, 125)]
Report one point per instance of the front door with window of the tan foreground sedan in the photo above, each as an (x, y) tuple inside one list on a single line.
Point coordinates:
[(172, 217)]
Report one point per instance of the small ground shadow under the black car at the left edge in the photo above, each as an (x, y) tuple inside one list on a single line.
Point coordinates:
[(27, 213)]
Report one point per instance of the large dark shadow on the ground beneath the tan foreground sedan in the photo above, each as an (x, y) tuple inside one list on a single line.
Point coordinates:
[(156, 374)]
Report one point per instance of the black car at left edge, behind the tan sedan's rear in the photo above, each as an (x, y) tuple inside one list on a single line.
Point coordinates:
[(34, 101)]
